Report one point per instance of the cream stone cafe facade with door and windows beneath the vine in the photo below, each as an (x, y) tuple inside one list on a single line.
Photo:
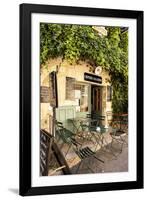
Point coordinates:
[(76, 96)]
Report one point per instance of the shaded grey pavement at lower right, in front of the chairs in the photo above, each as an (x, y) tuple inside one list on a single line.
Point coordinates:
[(111, 163)]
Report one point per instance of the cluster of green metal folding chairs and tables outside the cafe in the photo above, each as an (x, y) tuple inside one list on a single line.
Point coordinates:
[(117, 132)]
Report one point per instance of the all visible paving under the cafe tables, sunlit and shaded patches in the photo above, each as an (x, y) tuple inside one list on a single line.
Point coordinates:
[(111, 163)]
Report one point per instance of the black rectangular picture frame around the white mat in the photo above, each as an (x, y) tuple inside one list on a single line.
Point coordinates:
[(25, 187)]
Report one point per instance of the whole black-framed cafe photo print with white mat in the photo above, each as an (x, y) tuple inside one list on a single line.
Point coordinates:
[(81, 99)]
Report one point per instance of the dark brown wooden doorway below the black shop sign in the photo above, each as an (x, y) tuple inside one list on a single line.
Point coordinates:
[(96, 99)]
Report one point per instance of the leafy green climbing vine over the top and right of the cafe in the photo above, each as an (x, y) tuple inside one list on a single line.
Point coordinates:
[(78, 42)]
